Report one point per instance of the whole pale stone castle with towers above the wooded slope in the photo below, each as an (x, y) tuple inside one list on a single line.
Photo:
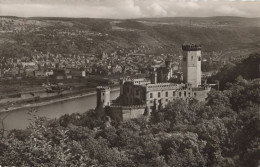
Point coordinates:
[(139, 97)]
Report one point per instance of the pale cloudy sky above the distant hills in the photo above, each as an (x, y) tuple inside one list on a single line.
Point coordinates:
[(129, 8)]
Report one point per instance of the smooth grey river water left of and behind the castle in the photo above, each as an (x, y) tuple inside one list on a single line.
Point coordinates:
[(20, 119)]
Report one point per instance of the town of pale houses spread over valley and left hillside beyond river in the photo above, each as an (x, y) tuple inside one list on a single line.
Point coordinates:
[(45, 57)]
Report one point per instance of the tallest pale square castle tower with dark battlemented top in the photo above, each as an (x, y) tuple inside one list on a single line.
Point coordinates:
[(192, 64)]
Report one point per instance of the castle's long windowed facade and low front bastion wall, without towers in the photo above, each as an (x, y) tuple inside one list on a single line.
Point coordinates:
[(124, 113)]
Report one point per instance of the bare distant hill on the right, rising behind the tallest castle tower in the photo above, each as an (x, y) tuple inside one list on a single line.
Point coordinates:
[(212, 33)]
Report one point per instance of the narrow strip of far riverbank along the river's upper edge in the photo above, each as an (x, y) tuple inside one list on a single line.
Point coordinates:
[(53, 99)]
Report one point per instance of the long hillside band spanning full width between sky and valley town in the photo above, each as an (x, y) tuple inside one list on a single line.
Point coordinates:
[(86, 35)]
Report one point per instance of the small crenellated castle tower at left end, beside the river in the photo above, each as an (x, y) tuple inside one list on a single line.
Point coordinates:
[(103, 96)]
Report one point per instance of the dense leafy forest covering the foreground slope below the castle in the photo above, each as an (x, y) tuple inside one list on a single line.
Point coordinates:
[(224, 131)]
